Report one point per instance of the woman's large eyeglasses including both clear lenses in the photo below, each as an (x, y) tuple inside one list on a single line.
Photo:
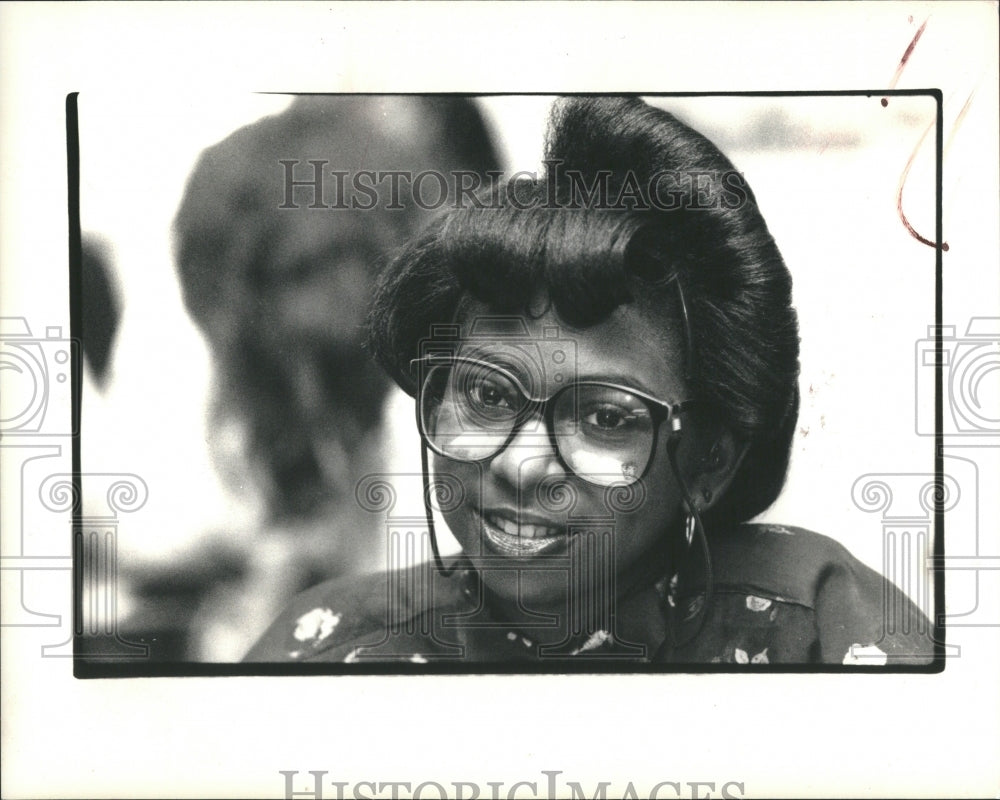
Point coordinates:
[(470, 410)]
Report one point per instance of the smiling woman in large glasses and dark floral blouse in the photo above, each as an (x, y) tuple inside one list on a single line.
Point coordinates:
[(606, 393)]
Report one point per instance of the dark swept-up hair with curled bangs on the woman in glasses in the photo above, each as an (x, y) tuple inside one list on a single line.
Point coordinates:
[(633, 202)]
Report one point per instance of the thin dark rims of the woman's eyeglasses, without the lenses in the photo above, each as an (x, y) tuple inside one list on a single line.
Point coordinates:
[(544, 407)]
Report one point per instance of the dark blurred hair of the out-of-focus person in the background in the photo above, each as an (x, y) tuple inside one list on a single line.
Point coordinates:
[(281, 293)]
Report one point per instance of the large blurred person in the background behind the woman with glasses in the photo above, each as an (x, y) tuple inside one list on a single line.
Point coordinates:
[(278, 276)]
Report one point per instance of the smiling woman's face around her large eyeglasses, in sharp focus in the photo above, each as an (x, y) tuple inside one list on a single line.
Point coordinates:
[(518, 522)]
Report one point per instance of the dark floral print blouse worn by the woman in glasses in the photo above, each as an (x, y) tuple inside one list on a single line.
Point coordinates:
[(780, 595)]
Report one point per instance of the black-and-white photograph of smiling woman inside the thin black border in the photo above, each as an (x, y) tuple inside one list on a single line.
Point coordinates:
[(510, 381)]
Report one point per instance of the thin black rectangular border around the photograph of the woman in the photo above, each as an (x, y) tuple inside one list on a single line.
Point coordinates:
[(90, 667)]
